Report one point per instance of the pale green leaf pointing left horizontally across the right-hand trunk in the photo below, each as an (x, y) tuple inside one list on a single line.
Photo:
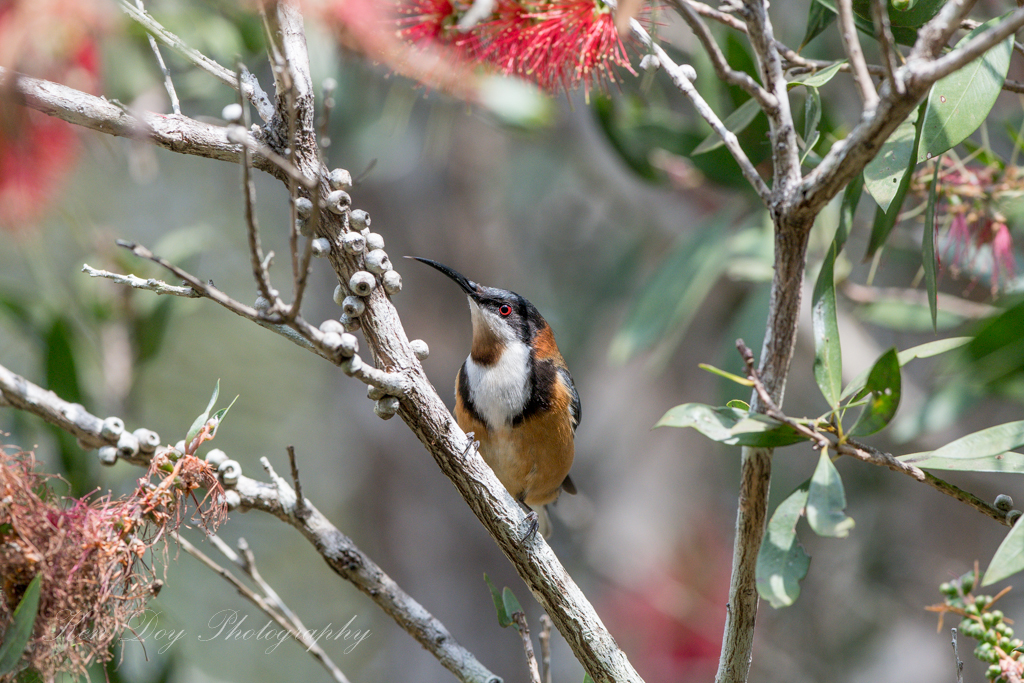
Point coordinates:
[(732, 426)]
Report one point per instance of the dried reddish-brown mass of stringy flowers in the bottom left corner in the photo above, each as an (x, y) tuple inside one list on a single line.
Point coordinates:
[(96, 556)]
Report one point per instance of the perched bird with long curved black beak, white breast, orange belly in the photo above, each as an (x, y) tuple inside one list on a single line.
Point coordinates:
[(517, 396)]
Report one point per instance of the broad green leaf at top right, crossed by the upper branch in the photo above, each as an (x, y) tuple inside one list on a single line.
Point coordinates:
[(960, 103)]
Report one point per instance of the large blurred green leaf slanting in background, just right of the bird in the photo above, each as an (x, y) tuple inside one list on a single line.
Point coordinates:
[(670, 301)]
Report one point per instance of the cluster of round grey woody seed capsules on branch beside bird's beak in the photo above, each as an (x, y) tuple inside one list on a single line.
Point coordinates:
[(359, 242)]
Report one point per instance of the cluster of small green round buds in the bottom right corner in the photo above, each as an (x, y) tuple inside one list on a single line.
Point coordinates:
[(997, 646)]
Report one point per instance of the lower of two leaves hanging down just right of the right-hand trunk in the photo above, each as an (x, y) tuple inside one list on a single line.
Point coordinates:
[(783, 564)]
